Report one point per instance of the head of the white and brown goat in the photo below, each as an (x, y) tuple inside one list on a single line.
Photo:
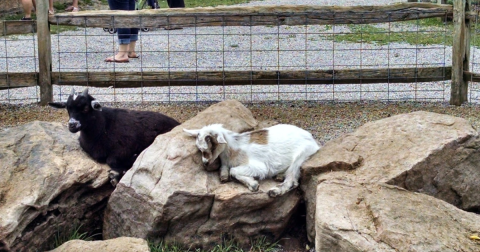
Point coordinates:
[(209, 141)]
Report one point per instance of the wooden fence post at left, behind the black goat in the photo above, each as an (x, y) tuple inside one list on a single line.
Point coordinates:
[(44, 53)]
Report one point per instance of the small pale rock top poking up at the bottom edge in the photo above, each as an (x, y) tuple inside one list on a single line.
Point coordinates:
[(121, 244)]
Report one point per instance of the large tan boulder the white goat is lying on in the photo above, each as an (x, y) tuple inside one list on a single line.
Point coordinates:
[(168, 196)]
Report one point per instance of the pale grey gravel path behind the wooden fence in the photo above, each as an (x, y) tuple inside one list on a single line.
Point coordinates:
[(238, 48)]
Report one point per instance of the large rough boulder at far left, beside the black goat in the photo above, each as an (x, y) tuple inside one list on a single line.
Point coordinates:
[(47, 184)]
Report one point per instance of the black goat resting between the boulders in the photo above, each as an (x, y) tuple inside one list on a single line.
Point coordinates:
[(113, 136)]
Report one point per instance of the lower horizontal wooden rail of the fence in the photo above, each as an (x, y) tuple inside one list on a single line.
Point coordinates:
[(228, 78)]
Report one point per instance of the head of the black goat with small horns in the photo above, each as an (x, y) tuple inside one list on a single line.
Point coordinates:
[(80, 109)]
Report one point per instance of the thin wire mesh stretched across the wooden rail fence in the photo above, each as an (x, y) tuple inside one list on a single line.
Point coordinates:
[(196, 63)]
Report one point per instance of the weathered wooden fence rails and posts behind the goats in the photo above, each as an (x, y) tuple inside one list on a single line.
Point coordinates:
[(254, 16)]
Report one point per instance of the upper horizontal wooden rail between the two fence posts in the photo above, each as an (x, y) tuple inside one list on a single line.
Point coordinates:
[(253, 16)]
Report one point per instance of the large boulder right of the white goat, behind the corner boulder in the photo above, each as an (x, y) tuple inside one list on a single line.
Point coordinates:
[(422, 152)]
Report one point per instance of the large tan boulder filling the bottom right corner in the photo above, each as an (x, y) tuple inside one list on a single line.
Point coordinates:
[(358, 217)]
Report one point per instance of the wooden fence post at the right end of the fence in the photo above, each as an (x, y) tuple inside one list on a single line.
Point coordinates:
[(460, 52)]
